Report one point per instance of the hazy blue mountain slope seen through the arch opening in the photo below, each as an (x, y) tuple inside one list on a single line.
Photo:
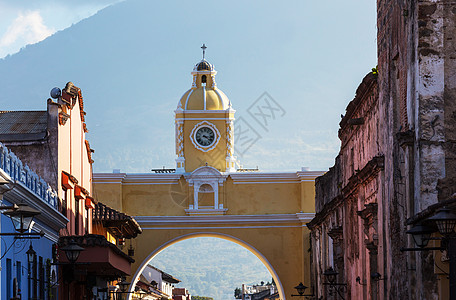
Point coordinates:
[(211, 267)]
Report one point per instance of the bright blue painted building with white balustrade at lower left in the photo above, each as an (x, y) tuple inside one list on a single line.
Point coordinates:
[(20, 278)]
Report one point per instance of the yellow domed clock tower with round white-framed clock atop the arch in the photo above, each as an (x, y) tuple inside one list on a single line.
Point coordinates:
[(204, 124)]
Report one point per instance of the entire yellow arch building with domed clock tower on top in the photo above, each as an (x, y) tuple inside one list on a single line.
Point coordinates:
[(207, 196)]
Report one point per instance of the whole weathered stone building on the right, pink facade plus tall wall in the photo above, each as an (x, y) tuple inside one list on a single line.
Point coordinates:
[(364, 217)]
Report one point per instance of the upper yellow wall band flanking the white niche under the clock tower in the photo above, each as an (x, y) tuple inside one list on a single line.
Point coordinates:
[(169, 198)]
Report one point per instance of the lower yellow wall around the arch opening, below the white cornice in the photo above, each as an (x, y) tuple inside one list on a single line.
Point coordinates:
[(285, 262)]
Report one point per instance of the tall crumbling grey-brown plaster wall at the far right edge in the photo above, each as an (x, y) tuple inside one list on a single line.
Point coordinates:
[(416, 88)]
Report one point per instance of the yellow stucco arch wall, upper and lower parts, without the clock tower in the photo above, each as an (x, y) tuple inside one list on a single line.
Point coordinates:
[(264, 210)]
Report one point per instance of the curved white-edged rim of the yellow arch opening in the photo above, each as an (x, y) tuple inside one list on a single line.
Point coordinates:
[(215, 235)]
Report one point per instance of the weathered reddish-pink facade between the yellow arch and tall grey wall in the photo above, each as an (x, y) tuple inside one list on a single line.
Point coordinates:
[(340, 238)]
